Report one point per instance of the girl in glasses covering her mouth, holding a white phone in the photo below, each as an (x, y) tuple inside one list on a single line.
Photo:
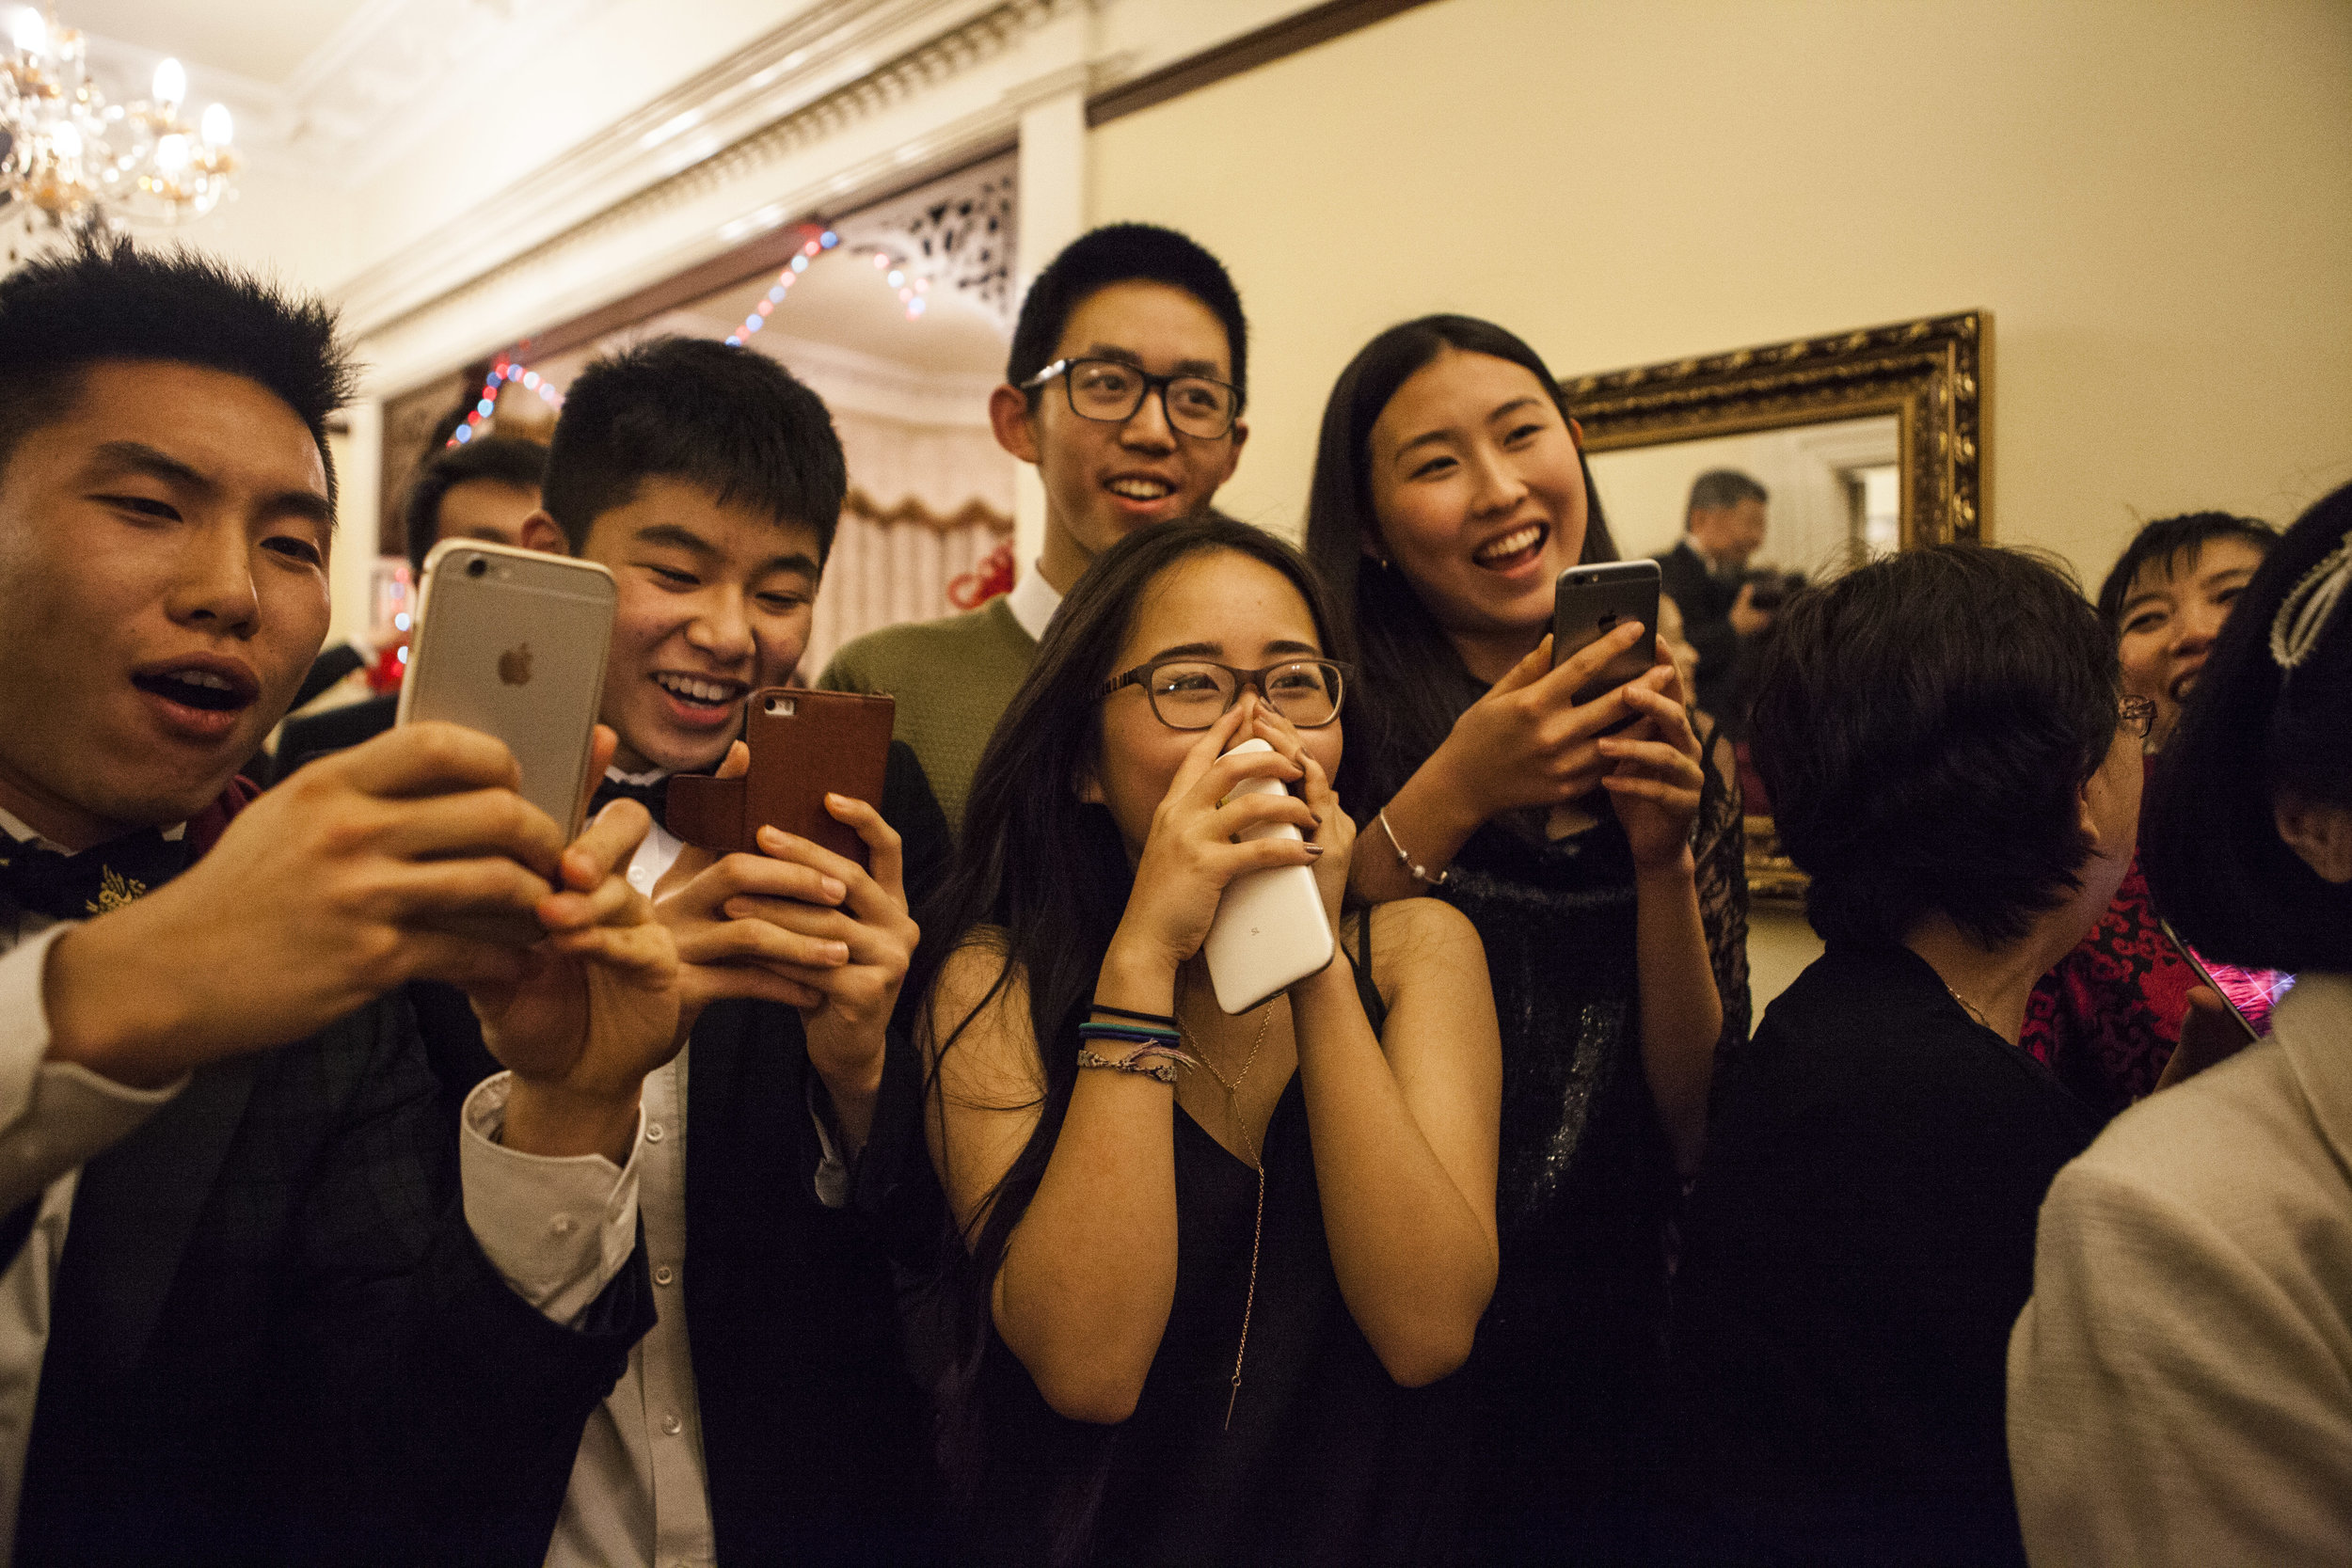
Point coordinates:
[(1201, 1301)]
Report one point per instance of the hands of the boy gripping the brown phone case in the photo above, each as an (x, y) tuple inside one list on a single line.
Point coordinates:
[(803, 927)]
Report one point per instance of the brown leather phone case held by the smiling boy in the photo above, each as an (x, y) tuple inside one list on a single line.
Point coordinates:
[(803, 746)]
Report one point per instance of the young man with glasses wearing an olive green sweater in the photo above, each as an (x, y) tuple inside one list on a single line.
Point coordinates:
[(1125, 391)]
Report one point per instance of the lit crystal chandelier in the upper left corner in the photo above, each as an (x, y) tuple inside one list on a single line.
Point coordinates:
[(72, 161)]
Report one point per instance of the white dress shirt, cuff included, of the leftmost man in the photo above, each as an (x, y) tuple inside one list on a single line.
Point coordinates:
[(55, 1115)]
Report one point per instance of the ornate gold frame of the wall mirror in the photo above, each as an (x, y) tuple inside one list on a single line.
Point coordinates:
[(1932, 375)]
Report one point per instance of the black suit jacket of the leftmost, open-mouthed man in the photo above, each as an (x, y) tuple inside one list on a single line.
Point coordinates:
[(276, 1341)]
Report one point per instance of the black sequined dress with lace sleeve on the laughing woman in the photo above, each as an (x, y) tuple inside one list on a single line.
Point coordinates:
[(1570, 1360)]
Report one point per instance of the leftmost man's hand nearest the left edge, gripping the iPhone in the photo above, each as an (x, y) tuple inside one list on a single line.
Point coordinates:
[(368, 869)]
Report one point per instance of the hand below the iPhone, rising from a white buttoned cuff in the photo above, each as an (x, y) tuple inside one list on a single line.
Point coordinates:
[(592, 1007)]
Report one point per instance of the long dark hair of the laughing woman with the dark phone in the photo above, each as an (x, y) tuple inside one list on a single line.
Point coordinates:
[(1410, 669)]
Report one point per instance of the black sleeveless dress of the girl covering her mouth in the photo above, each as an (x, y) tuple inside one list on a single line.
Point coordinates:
[(1325, 1461)]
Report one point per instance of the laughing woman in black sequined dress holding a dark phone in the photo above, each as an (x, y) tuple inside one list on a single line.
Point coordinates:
[(1450, 492)]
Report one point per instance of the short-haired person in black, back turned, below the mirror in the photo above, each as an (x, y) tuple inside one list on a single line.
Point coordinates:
[(1956, 770)]
